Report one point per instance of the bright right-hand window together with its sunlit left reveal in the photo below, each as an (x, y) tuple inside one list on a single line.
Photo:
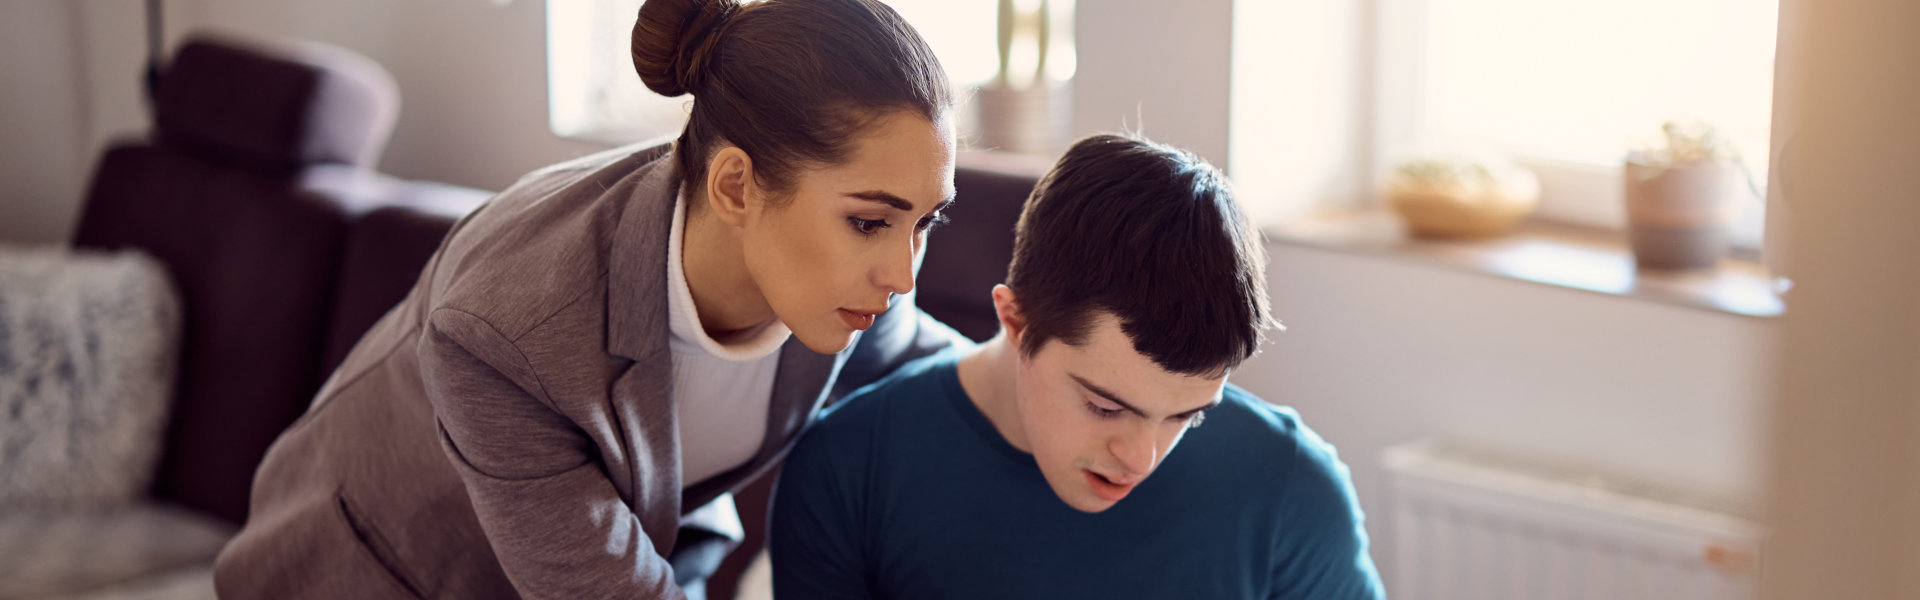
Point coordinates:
[(1566, 87)]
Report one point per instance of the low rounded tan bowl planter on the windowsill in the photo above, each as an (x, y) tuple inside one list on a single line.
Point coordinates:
[(1447, 197)]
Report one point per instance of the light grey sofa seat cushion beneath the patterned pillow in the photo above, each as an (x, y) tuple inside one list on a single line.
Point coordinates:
[(55, 555)]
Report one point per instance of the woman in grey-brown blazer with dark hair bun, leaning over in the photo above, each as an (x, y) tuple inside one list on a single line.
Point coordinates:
[(617, 341)]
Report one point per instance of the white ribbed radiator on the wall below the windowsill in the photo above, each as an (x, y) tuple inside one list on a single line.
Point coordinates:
[(1468, 526)]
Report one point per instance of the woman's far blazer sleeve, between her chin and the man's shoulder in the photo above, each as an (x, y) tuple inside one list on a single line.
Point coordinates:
[(900, 336)]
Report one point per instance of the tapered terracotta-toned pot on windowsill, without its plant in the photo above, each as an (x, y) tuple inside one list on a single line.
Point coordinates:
[(1677, 216)]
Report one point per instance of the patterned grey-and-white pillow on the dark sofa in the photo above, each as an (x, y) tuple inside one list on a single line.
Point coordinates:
[(87, 359)]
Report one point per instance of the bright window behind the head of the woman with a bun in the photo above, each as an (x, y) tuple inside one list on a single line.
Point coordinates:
[(594, 93)]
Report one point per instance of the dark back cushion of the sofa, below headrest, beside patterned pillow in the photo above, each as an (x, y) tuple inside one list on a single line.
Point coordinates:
[(254, 261)]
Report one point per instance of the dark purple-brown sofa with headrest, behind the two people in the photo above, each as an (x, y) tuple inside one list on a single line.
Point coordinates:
[(258, 195)]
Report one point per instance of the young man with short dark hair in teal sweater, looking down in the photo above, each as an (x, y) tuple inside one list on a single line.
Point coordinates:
[(1042, 462)]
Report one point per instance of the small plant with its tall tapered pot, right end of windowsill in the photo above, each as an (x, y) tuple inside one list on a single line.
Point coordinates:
[(1681, 197)]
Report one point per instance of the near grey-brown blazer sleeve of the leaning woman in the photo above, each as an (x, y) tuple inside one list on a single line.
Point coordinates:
[(554, 518)]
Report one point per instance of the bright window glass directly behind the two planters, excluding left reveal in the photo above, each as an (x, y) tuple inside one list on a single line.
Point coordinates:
[(1568, 87)]
